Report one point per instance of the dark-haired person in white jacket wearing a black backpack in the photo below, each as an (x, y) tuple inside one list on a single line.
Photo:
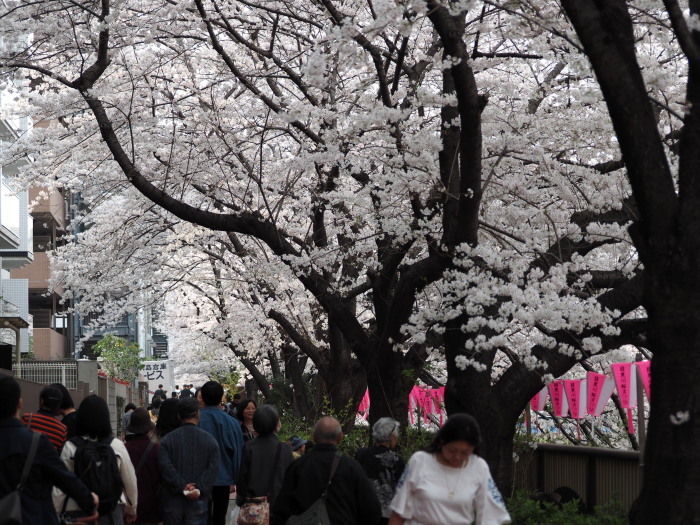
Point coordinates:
[(102, 462)]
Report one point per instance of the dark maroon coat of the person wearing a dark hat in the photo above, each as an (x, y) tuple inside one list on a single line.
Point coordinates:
[(147, 478)]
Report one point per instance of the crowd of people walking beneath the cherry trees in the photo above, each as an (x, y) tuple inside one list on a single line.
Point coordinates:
[(180, 459)]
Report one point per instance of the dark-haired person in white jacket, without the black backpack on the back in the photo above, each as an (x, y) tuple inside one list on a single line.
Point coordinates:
[(93, 424)]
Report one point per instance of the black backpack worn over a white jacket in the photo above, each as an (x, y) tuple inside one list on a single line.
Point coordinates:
[(95, 463)]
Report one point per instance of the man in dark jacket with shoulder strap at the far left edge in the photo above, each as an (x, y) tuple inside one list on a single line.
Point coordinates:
[(47, 469)]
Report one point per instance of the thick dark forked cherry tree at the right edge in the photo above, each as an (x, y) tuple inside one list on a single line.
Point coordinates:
[(665, 232)]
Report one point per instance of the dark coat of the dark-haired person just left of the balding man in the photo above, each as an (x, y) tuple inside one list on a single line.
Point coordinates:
[(258, 465)]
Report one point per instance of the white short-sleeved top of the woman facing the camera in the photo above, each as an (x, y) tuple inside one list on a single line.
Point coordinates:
[(430, 493)]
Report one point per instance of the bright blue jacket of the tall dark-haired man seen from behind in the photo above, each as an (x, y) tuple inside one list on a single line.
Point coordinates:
[(229, 437)]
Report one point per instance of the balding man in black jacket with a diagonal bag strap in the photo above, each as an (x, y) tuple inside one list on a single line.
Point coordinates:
[(351, 499)]
